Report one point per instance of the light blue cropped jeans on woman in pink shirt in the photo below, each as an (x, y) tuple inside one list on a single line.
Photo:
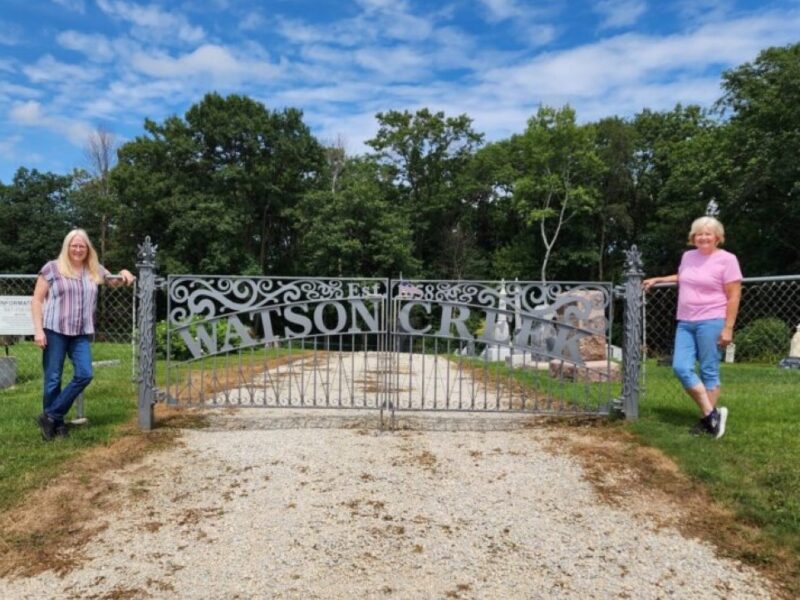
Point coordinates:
[(697, 341)]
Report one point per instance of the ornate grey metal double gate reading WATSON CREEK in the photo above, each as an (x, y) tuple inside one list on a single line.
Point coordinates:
[(388, 344)]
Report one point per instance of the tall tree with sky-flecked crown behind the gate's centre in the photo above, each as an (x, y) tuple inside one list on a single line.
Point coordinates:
[(429, 155)]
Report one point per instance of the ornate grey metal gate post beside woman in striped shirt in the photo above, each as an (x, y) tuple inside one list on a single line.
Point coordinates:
[(146, 323)]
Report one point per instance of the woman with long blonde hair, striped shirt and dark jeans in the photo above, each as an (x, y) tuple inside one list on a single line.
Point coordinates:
[(63, 306)]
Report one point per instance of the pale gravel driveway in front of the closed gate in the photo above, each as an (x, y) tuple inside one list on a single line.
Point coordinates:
[(289, 504)]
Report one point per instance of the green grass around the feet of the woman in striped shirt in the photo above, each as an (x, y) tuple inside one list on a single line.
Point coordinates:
[(26, 462)]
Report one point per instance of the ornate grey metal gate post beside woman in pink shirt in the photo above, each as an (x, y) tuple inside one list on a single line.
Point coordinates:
[(632, 333)]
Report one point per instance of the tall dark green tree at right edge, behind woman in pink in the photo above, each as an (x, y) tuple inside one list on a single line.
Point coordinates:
[(762, 100)]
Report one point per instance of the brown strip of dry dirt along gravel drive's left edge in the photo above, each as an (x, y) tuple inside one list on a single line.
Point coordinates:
[(50, 526)]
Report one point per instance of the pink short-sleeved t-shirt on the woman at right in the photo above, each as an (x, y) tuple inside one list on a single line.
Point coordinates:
[(701, 284)]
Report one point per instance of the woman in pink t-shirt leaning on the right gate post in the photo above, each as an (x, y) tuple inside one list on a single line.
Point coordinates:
[(709, 289)]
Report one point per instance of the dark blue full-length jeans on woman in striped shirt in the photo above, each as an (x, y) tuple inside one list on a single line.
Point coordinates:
[(57, 402)]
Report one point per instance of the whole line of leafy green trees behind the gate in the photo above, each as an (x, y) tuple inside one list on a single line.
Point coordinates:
[(236, 188)]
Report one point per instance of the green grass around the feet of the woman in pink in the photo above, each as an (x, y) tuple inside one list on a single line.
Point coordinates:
[(754, 469)]
